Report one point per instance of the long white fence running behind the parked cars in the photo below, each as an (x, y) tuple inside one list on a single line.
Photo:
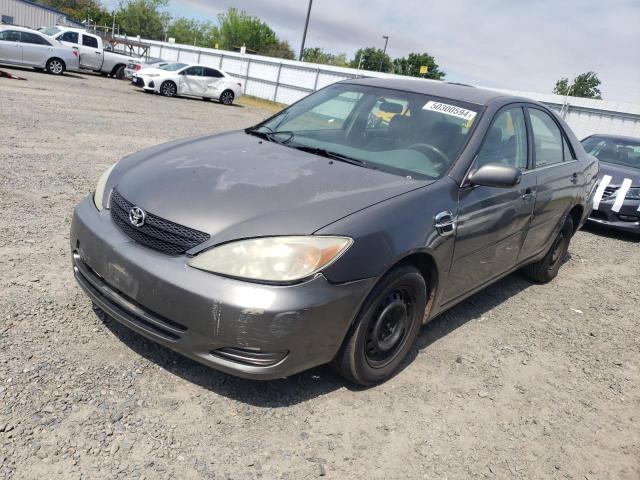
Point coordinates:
[(286, 81)]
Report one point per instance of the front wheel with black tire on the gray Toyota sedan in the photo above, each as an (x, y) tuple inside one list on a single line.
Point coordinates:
[(385, 329)]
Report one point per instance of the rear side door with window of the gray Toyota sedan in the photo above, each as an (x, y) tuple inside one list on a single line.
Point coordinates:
[(556, 169)]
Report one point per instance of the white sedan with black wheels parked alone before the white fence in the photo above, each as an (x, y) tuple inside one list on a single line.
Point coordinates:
[(194, 80)]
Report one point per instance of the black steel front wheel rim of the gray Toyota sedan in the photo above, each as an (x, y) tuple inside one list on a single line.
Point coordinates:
[(388, 328)]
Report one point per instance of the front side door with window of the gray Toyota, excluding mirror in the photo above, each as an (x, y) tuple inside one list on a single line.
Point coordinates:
[(492, 222)]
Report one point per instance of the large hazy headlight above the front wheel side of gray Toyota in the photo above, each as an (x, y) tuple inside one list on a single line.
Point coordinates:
[(272, 259)]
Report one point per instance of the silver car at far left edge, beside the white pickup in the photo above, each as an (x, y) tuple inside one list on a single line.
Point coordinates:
[(26, 47)]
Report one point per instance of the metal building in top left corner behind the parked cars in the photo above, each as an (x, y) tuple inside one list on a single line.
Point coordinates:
[(33, 15)]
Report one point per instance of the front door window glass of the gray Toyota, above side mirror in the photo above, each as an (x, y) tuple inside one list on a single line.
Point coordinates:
[(506, 140)]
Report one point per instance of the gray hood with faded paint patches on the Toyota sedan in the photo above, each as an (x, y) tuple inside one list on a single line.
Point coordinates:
[(236, 185)]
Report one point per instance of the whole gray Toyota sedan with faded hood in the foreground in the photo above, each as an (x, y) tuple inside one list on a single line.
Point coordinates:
[(332, 231)]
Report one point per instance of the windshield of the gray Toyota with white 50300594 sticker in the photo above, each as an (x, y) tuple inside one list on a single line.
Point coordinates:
[(400, 132)]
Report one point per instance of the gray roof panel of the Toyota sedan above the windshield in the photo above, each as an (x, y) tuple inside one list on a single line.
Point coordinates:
[(455, 91)]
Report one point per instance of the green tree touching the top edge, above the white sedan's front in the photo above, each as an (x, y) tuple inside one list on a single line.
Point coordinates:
[(146, 18)]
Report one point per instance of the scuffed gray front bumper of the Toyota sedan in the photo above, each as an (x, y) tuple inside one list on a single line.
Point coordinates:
[(246, 329)]
